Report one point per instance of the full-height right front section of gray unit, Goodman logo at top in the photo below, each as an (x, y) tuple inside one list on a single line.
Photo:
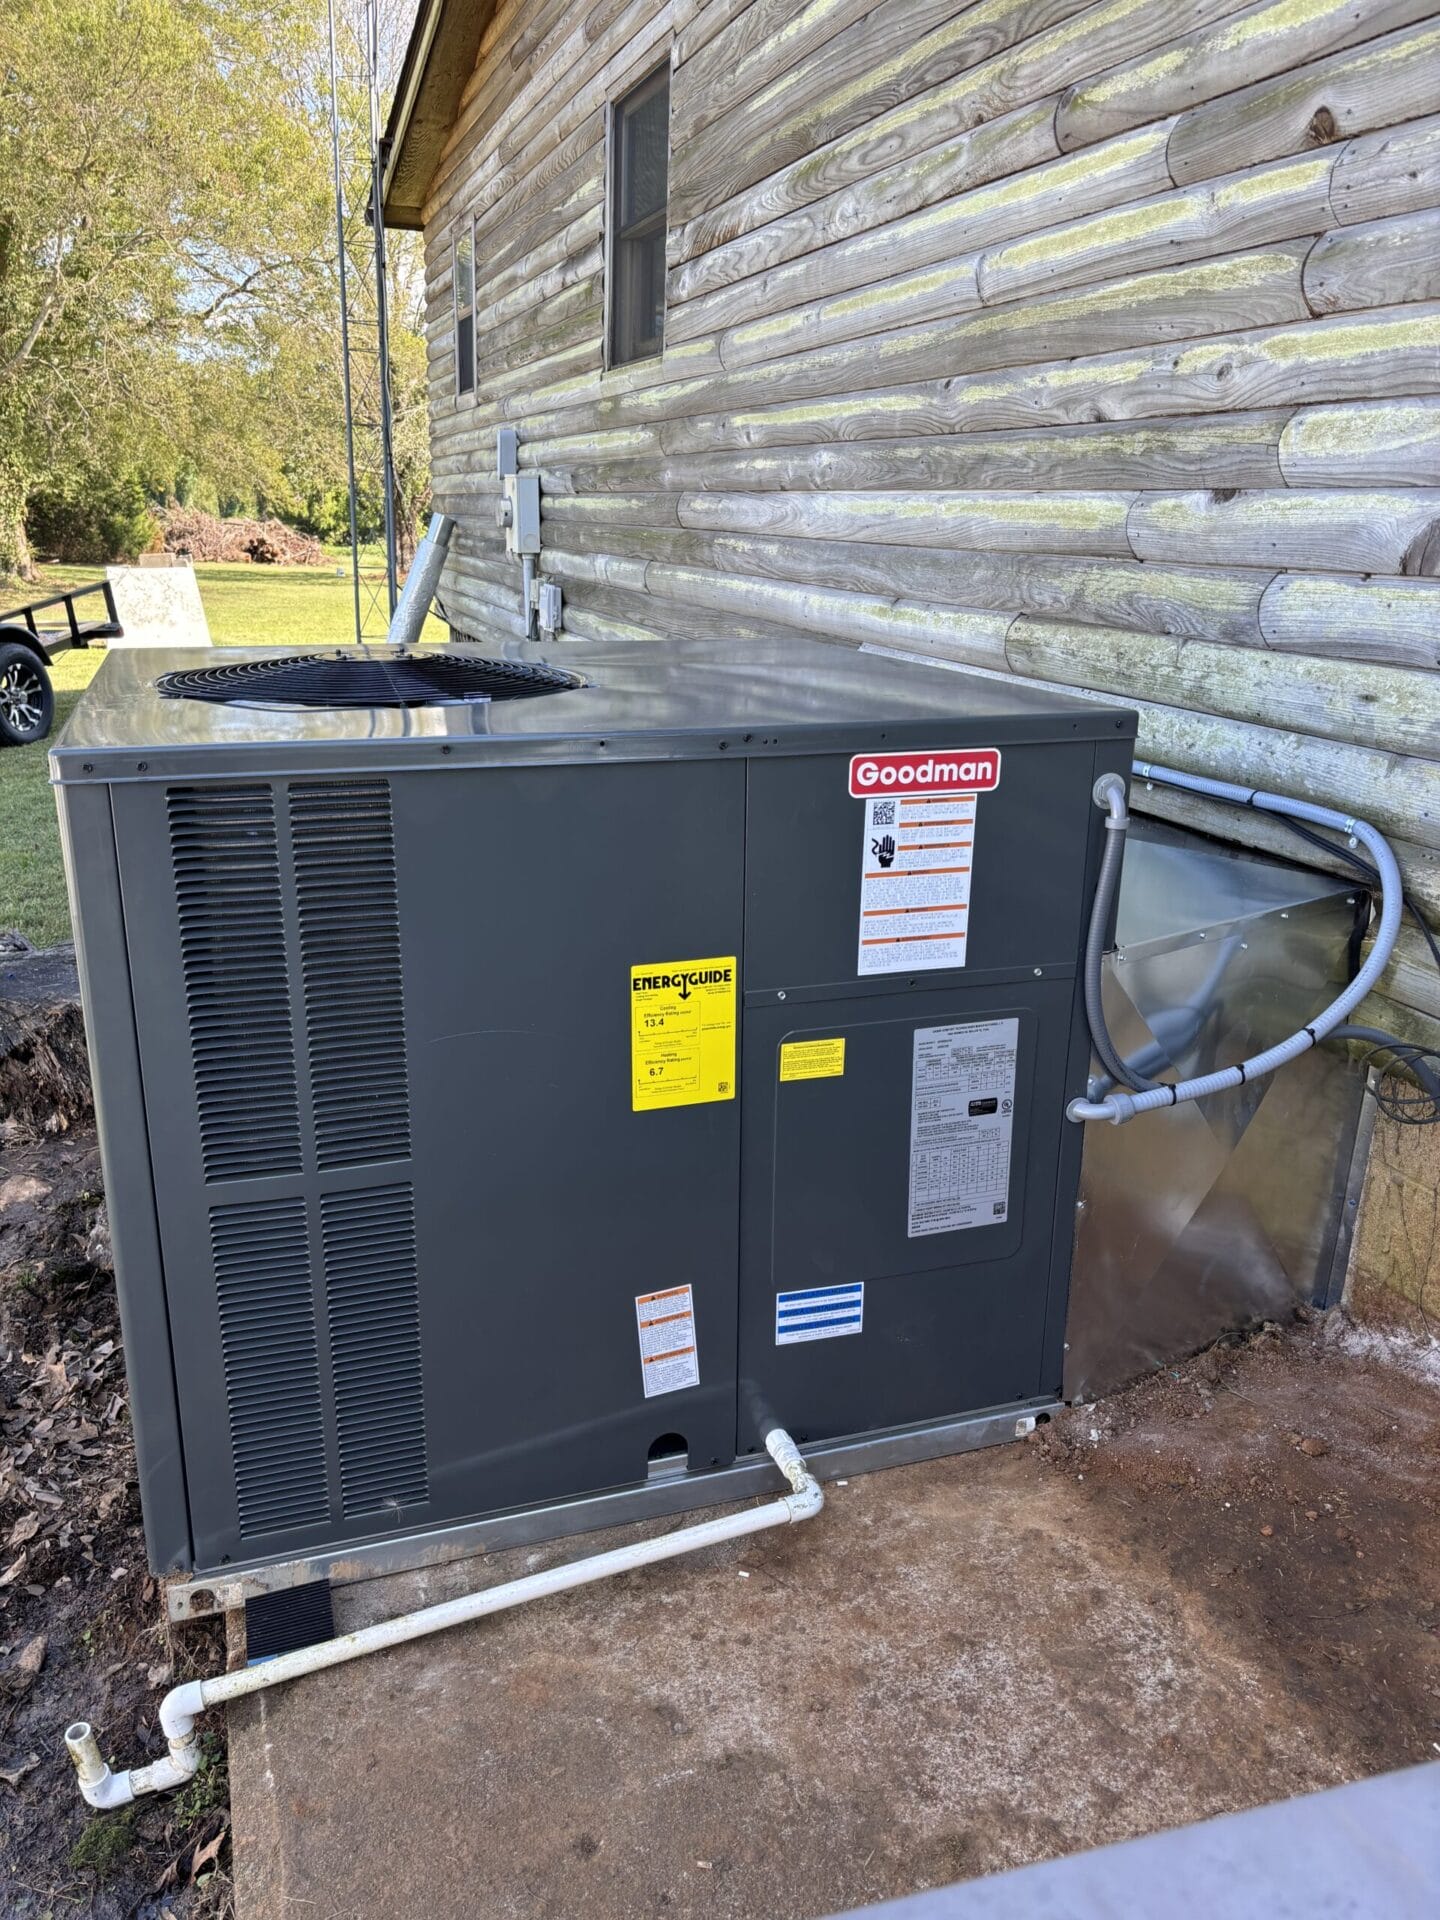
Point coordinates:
[(913, 1032)]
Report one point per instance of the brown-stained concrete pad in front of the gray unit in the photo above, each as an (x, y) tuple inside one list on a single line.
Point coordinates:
[(1203, 1596)]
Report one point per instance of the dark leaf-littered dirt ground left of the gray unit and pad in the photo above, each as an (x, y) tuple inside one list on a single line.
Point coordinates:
[(82, 1621)]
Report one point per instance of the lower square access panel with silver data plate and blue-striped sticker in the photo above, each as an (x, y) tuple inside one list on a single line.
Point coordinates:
[(898, 1266)]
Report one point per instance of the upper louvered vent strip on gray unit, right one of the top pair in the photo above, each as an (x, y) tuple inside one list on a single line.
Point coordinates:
[(350, 959)]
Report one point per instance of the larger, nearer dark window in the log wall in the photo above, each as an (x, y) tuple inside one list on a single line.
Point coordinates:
[(640, 185)]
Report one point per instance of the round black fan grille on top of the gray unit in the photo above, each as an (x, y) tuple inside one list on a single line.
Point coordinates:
[(383, 679)]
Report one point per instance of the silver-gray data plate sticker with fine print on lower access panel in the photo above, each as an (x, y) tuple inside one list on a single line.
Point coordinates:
[(963, 1107)]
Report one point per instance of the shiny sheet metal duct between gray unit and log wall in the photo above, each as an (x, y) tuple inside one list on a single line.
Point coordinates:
[(1232, 1211)]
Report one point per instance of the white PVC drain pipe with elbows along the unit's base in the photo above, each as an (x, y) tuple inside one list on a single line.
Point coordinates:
[(183, 1704)]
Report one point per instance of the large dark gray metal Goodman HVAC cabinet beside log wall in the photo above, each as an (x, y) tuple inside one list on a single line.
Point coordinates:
[(379, 1001)]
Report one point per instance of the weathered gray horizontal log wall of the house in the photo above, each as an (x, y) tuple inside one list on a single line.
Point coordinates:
[(1093, 343)]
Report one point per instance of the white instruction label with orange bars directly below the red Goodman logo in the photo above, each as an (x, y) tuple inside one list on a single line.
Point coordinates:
[(917, 859)]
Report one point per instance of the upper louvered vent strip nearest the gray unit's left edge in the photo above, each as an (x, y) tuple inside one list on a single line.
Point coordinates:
[(237, 990)]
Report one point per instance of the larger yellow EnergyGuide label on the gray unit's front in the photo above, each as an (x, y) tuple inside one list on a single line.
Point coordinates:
[(683, 1032)]
